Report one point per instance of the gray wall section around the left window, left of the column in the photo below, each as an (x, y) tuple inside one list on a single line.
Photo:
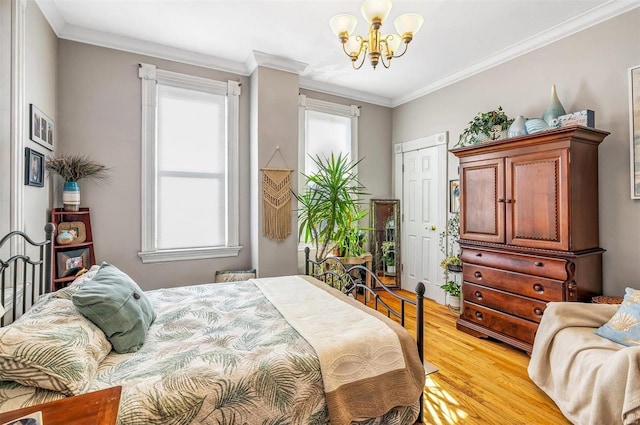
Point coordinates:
[(99, 96)]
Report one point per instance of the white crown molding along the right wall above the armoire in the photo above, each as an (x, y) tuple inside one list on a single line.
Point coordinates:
[(564, 29)]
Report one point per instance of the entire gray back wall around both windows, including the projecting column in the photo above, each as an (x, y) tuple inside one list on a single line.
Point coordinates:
[(99, 115)]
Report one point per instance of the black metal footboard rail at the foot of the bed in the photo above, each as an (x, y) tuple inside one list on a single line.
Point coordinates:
[(333, 272)]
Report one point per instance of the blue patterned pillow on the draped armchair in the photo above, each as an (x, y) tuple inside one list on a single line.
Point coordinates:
[(624, 326)]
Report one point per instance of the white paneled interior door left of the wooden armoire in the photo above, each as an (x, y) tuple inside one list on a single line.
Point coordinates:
[(425, 204)]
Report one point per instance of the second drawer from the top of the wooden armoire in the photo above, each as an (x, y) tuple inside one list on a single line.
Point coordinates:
[(526, 285)]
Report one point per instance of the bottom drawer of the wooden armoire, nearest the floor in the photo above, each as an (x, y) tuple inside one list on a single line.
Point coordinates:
[(503, 323)]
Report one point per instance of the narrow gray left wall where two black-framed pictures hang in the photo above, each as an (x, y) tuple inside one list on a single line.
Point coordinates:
[(40, 90)]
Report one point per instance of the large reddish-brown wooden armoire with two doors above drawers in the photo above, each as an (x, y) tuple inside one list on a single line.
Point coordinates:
[(528, 230)]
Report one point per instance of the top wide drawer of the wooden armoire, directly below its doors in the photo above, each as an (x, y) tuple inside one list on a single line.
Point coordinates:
[(552, 268)]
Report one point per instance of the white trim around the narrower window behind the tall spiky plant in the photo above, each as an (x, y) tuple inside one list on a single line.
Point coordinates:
[(349, 111)]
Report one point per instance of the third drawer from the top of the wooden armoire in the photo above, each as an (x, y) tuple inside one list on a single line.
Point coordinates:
[(516, 305)]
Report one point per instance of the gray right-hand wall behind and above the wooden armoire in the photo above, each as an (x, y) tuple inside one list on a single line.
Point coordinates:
[(590, 70)]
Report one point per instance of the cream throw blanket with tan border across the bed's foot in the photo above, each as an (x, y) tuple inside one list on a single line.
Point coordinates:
[(360, 350)]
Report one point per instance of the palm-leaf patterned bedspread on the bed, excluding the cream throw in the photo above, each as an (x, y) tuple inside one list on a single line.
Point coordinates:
[(216, 354)]
